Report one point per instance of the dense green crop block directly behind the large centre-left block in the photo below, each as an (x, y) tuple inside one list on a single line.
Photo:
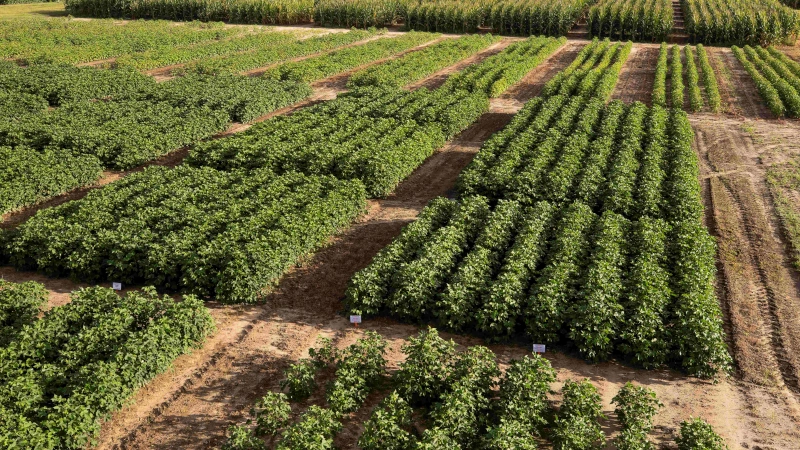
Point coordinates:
[(376, 135)]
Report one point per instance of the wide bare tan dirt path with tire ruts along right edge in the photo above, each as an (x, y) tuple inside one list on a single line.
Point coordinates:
[(758, 286)]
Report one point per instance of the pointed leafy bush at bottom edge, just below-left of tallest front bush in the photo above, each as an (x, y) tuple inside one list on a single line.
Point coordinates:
[(386, 428)]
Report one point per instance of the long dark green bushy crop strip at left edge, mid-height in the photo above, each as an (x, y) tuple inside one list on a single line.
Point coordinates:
[(46, 153)]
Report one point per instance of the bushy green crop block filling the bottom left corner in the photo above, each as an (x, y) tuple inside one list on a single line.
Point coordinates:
[(66, 371)]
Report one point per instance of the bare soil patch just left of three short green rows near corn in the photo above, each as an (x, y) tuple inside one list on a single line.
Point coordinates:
[(637, 76)]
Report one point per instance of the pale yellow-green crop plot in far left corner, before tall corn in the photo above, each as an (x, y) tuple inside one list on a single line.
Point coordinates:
[(72, 41)]
